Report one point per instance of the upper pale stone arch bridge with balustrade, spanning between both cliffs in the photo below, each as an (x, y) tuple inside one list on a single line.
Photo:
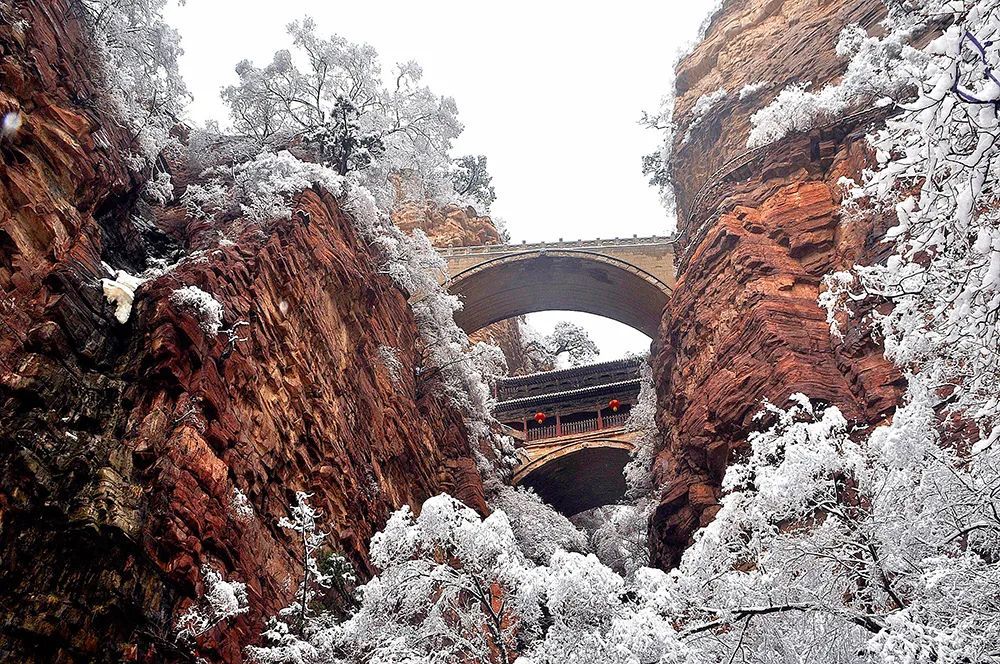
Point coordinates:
[(625, 279)]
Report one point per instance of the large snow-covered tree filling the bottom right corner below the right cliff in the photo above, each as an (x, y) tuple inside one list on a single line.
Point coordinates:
[(882, 550)]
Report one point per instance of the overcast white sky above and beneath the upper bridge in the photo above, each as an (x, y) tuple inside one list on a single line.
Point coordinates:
[(549, 91)]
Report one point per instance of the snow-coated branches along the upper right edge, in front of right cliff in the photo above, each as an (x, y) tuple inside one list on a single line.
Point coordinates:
[(938, 169)]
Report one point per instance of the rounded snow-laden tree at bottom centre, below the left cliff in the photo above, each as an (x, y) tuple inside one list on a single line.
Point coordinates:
[(453, 588)]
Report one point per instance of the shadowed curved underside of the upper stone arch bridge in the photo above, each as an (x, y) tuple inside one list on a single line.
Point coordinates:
[(565, 280)]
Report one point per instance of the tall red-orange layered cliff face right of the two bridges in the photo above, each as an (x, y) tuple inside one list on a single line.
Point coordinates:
[(757, 232)]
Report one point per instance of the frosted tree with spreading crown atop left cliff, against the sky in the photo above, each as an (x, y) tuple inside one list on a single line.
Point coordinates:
[(328, 97)]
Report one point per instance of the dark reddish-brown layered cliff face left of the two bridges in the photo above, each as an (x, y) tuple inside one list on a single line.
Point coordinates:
[(125, 448)]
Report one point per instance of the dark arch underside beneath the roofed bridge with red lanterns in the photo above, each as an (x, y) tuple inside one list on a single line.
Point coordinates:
[(581, 478)]
